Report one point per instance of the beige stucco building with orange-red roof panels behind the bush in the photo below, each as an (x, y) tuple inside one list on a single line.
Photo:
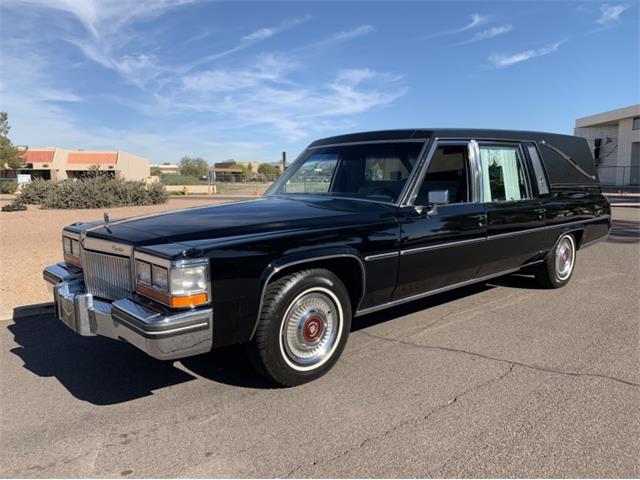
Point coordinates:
[(59, 164)]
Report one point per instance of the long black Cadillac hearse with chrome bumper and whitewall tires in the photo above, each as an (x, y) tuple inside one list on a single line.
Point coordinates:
[(358, 223)]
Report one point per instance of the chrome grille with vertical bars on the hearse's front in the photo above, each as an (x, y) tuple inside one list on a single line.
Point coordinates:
[(107, 276)]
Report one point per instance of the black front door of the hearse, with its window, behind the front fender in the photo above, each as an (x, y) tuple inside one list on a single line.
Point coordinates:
[(439, 245)]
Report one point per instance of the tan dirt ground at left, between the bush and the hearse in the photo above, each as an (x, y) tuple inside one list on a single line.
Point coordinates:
[(30, 240)]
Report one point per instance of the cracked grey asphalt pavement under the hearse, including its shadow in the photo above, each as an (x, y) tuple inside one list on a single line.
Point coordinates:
[(500, 379)]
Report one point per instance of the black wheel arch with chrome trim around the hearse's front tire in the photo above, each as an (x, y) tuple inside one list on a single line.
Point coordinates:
[(346, 264)]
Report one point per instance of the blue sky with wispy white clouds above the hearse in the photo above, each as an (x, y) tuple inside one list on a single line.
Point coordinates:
[(246, 80)]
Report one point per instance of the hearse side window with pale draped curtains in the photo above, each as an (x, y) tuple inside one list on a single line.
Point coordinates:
[(503, 174)]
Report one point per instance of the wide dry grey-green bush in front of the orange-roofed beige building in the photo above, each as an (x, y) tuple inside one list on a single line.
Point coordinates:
[(93, 191)]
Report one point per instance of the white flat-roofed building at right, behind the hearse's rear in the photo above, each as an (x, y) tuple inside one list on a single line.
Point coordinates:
[(614, 138)]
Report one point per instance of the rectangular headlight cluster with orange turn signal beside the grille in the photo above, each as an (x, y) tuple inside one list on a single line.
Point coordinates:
[(178, 284)]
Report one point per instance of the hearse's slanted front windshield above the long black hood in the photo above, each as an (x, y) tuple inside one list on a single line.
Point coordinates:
[(373, 171)]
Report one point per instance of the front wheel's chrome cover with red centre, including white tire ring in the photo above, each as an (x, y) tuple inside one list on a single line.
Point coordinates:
[(311, 328)]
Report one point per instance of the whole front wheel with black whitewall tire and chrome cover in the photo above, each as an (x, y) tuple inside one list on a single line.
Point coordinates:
[(303, 327)]
